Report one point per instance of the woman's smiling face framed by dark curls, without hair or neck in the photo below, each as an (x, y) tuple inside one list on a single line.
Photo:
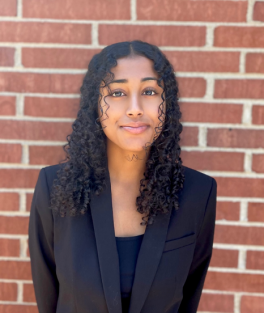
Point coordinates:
[(133, 104)]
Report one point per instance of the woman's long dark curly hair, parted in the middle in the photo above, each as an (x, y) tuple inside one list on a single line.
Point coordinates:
[(86, 158)]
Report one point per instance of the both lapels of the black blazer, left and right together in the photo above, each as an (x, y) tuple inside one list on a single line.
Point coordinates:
[(148, 259)]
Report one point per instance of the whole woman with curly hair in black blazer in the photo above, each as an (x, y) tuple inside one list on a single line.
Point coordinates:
[(122, 225)]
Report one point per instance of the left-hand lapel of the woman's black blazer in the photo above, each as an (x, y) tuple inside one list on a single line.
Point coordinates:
[(102, 215)]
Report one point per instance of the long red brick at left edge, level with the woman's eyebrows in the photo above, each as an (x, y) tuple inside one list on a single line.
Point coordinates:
[(40, 82)]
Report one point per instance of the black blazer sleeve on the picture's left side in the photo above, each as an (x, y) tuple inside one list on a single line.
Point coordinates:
[(40, 242)]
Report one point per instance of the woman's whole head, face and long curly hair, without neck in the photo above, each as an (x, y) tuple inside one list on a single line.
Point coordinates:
[(106, 107)]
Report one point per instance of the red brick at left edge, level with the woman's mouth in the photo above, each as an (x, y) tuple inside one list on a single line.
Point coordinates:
[(33, 130)]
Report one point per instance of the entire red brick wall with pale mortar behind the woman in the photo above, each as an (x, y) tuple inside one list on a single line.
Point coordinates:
[(217, 49)]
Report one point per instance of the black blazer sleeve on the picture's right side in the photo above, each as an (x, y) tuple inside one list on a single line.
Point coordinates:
[(202, 255)]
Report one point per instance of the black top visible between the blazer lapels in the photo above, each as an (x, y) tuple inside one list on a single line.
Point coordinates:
[(128, 249)]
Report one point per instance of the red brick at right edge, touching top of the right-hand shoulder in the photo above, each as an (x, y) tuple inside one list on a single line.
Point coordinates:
[(239, 187)]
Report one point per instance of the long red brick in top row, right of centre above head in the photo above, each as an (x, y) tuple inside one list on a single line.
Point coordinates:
[(208, 11)]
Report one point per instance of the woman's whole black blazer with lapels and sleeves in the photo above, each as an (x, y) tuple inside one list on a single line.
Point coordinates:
[(74, 260)]
